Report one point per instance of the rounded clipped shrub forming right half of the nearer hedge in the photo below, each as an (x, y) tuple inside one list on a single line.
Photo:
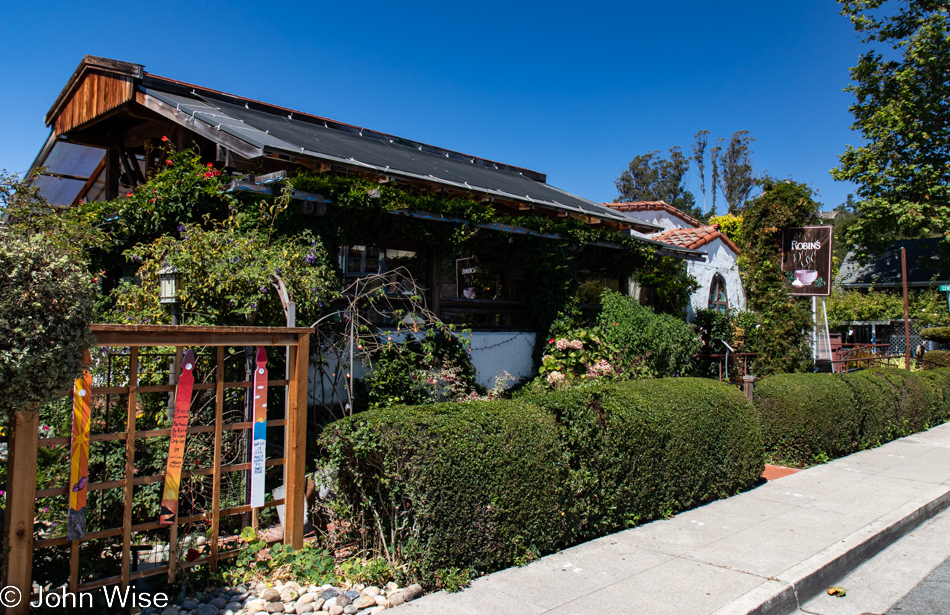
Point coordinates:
[(646, 449)]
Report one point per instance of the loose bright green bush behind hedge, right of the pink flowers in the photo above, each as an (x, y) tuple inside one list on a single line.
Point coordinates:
[(666, 343)]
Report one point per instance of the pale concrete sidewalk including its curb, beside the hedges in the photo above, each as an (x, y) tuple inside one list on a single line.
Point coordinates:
[(764, 551)]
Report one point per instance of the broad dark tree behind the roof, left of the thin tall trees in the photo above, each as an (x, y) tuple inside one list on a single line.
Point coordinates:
[(651, 177)]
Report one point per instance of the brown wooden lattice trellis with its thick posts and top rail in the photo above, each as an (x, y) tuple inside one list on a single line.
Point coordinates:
[(24, 443)]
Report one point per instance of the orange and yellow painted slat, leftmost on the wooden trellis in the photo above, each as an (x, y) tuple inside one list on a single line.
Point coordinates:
[(79, 454)]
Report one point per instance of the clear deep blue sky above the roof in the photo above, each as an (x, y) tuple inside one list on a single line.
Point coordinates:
[(573, 90)]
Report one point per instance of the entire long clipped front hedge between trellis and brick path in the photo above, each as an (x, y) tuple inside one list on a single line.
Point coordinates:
[(468, 488)]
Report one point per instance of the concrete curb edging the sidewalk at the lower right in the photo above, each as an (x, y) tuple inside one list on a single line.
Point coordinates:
[(809, 578)]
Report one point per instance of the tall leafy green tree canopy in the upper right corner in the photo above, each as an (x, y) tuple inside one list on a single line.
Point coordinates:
[(902, 108)]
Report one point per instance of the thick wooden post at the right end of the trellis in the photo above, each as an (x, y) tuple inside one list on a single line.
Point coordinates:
[(295, 452)]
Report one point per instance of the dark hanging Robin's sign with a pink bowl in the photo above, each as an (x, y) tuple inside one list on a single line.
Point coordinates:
[(806, 260)]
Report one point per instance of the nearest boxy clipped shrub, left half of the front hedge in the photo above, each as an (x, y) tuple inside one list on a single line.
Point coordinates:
[(456, 485)]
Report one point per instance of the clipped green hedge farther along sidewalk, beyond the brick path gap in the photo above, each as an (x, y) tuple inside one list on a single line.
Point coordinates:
[(810, 418)]
